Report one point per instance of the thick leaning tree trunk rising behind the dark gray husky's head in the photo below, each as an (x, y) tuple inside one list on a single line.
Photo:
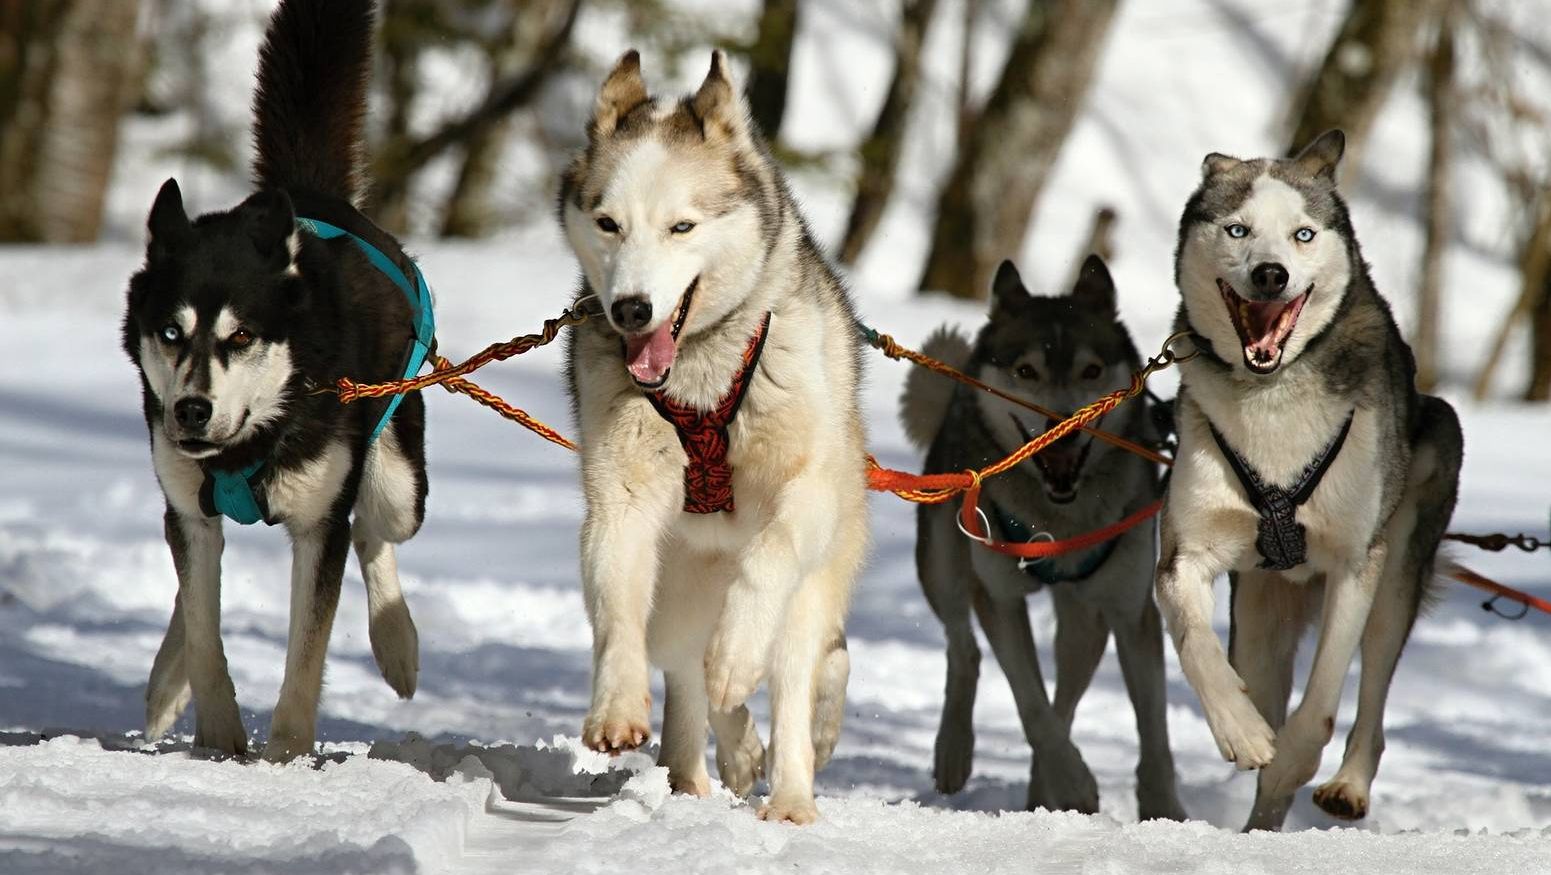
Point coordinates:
[(984, 212)]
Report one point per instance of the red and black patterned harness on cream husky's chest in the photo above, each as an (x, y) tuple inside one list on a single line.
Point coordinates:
[(708, 474)]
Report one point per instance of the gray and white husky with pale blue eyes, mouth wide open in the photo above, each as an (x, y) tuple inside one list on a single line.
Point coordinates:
[(1310, 471)]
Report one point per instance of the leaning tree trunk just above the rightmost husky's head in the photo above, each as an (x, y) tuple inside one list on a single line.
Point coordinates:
[(1377, 43)]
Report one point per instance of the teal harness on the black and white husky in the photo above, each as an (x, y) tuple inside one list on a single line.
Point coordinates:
[(240, 496)]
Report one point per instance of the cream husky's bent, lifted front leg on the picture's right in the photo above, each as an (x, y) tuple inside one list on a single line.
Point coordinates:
[(739, 651)]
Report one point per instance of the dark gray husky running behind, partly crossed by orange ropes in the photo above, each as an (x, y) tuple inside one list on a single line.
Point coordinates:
[(1062, 353)]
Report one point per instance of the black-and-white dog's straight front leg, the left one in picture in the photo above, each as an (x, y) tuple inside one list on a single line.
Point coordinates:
[(198, 544)]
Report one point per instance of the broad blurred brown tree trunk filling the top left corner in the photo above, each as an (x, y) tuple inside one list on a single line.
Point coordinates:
[(69, 71)]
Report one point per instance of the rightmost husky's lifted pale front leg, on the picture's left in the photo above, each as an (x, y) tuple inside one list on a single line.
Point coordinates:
[(1184, 589)]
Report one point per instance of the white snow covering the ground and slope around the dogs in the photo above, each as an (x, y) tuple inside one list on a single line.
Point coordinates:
[(492, 781)]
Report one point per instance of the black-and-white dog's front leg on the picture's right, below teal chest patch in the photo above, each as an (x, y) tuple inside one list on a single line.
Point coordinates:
[(317, 573)]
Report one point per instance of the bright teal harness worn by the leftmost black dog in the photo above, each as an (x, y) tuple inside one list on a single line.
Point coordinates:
[(240, 496)]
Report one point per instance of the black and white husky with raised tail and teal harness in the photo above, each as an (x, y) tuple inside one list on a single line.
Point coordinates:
[(233, 320)]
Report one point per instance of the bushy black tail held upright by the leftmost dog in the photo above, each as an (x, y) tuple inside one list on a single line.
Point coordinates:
[(311, 100)]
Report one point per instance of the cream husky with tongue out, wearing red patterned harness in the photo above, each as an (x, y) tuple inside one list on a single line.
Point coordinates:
[(722, 441)]
